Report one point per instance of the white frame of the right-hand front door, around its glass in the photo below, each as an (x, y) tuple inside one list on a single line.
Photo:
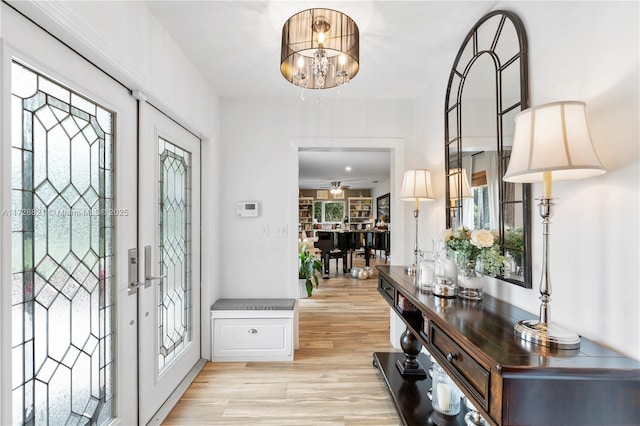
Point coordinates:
[(156, 386)]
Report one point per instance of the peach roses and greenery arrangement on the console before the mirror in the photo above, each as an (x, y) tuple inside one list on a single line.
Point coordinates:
[(474, 250)]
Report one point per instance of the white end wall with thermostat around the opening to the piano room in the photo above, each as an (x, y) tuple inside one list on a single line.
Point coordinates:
[(259, 162)]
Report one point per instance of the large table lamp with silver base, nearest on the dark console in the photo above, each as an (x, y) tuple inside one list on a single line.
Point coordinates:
[(550, 142)]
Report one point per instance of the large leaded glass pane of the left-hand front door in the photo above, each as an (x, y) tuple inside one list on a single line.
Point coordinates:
[(62, 254)]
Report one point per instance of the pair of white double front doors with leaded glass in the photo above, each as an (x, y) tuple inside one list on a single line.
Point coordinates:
[(80, 343)]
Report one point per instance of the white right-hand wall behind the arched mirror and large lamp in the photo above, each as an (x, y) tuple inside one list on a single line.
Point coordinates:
[(585, 51)]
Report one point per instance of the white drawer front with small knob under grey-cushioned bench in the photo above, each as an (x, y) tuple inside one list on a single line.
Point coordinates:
[(252, 337)]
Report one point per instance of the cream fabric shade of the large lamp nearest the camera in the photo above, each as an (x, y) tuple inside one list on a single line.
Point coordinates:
[(552, 138)]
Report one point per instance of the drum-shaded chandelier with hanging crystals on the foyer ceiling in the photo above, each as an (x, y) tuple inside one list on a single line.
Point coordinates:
[(320, 49)]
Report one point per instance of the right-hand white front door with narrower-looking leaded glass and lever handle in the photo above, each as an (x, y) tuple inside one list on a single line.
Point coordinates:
[(169, 225)]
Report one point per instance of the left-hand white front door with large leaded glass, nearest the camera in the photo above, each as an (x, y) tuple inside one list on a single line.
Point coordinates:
[(71, 320)]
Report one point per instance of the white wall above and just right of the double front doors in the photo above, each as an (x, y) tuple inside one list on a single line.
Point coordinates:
[(125, 40)]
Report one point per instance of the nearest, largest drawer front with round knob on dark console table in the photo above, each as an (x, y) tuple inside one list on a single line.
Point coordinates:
[(472, 375)]
